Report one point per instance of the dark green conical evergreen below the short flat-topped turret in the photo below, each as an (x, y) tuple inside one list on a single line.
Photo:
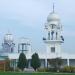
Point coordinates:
[(22, 62)]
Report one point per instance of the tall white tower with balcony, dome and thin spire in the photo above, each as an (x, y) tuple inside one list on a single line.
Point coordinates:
[(54, 38)]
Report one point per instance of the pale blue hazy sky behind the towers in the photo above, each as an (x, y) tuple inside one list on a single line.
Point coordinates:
[(26, 18)]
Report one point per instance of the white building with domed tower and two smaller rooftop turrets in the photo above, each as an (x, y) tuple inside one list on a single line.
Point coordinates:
[(53, 41)]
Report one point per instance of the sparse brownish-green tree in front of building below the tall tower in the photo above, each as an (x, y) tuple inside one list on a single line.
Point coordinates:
[(56, 63)]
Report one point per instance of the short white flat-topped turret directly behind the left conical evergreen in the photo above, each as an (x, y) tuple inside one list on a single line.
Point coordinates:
[(24, 46)]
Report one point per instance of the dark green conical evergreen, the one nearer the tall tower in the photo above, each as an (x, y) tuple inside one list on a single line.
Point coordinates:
[(35, 61)]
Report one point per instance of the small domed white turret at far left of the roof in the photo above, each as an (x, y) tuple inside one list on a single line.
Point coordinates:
[(8, 44)]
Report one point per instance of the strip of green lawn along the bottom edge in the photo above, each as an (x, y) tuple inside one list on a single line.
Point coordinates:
[(15, 73)]
